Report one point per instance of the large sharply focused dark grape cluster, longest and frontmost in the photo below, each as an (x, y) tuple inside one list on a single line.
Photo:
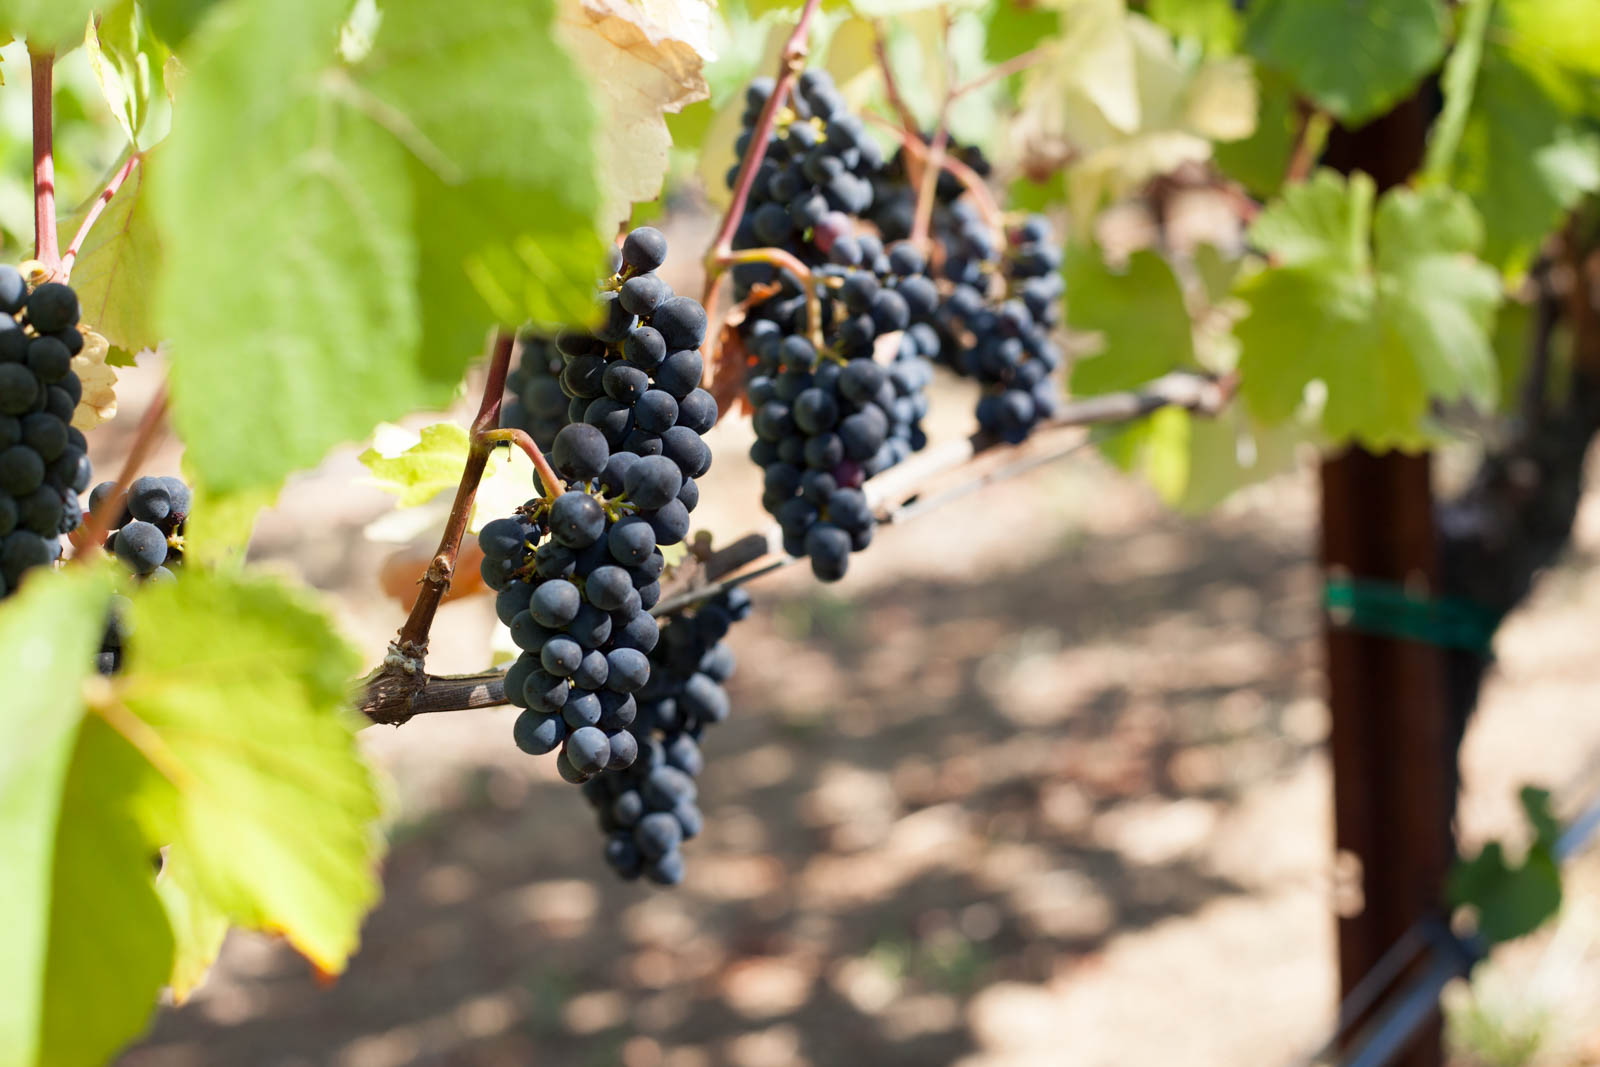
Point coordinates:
[(577, 575)]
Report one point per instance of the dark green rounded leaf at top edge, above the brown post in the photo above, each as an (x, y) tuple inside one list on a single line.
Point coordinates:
[(1356, 60)]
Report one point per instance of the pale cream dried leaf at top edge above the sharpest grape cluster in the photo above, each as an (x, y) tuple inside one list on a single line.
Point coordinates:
[(641, 60)]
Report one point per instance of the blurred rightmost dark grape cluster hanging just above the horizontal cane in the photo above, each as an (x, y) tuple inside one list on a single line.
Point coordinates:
[(1004, 340)]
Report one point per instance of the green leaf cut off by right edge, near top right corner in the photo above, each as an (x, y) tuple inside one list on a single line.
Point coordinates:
[(1526, 156)]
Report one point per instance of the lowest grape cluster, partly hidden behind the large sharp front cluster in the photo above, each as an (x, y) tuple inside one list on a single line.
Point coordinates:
[(649, 810)]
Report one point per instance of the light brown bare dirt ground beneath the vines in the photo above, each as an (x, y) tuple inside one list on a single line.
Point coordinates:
[(1041, 783)]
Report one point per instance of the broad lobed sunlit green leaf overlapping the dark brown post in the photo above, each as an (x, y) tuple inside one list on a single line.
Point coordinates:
[(1383, 313)]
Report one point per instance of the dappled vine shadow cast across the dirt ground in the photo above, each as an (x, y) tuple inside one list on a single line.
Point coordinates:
[(929, 789)]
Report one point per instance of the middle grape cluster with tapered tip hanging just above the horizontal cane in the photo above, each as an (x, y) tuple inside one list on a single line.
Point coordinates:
[(828, 422)]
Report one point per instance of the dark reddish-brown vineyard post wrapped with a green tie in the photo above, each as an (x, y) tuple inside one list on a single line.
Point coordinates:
[(1391, 738)]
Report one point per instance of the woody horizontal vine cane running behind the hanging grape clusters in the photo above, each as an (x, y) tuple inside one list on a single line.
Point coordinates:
[(898, 495)]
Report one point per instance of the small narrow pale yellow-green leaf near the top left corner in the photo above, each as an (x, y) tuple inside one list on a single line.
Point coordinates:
[(130, 66)]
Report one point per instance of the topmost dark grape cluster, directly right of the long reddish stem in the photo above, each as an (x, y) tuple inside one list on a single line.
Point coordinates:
[(817, 174)]
